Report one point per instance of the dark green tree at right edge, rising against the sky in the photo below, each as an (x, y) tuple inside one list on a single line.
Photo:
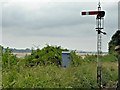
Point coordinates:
[(114, 41)]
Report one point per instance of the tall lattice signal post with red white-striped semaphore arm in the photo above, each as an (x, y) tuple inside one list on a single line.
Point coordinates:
[(99, 26)]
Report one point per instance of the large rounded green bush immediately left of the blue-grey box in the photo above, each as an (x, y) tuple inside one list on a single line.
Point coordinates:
[(47, 55)]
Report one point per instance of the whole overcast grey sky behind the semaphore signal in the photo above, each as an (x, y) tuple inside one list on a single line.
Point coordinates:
[(26, 23)]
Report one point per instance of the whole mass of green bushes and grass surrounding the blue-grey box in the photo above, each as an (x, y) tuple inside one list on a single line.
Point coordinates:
[(45, 72)]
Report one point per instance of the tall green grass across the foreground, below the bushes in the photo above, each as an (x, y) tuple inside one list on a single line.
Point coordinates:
[(51, 76)]
